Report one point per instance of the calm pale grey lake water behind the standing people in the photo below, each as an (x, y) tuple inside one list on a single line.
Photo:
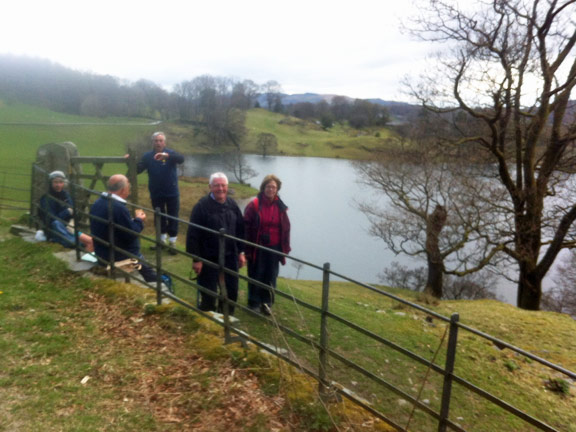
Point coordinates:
[(326, 225)]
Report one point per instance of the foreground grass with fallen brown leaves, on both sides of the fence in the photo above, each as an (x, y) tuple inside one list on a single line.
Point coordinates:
[(55, 331)]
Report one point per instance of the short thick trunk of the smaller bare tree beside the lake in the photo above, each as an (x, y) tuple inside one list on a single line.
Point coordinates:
[(434, 226)]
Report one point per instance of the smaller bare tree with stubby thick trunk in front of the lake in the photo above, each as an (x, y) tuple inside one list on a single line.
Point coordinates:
[(437, 210)]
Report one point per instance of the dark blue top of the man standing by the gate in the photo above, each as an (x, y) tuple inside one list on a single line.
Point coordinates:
[(162, 175)]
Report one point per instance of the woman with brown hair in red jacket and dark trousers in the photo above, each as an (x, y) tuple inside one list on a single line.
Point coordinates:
[(266, 224)]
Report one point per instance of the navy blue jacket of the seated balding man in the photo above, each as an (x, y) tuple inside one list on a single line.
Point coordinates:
[(124, 240)]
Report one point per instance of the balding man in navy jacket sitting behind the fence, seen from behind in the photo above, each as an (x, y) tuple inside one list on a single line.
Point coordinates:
[(118, 190)]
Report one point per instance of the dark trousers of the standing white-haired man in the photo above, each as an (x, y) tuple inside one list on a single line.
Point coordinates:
[(209, 279)]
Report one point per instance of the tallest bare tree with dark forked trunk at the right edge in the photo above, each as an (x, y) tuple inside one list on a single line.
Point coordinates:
[(509, 66)]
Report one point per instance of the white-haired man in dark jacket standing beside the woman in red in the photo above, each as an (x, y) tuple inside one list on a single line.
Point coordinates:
[(216, 211)]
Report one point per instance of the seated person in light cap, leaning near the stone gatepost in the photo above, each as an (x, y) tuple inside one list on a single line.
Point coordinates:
[(55, 205)]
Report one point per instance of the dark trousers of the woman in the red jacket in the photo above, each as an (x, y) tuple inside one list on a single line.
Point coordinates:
[(264, 269)]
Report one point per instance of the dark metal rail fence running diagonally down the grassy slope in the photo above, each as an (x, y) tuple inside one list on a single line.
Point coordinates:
[(408, 385)]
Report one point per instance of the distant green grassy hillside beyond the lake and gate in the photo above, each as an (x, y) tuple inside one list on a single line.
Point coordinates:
[(24, 128)]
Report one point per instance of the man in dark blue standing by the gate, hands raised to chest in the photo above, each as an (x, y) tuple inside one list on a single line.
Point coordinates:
[(161, 163)]
